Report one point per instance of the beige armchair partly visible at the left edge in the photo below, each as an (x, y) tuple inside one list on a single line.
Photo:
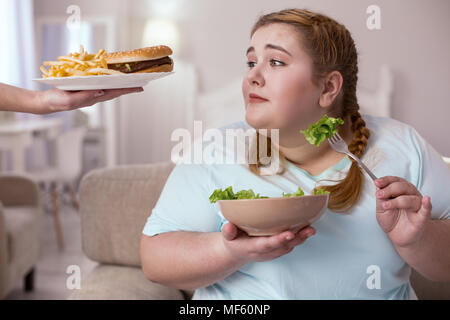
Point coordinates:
[(21, 222)]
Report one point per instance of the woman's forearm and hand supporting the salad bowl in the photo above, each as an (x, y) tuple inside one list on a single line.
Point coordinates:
[(190, 260)]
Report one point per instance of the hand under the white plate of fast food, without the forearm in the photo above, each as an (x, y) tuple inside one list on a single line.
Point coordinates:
[(55, 100)]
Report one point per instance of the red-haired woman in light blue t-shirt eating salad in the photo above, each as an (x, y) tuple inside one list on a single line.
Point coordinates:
[(304, 65)]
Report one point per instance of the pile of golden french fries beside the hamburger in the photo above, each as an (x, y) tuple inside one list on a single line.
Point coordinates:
[(78, 64)]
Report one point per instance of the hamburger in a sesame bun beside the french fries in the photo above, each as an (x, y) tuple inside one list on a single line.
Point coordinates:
[(144, 60)]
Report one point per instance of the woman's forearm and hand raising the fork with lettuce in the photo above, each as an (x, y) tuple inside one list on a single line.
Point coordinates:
[(404, 215)]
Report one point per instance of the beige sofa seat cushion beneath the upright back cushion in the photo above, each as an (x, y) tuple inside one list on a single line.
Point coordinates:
[(108, 282)]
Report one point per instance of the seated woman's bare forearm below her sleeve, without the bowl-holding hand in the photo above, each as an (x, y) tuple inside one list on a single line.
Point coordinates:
[(186, 260)]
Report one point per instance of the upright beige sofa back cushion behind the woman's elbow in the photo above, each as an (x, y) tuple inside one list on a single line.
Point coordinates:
[(115, 204)]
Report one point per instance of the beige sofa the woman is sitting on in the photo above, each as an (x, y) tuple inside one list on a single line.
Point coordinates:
[(114, 206)]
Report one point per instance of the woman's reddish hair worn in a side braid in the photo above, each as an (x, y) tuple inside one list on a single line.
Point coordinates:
[(331, 48)]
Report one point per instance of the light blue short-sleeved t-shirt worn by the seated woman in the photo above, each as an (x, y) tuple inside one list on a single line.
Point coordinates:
[(348, 250)]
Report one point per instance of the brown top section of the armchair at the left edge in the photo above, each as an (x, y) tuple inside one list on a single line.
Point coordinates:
[(16, 190)]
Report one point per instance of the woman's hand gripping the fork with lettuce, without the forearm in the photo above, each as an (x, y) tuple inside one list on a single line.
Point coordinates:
[(402, 212)]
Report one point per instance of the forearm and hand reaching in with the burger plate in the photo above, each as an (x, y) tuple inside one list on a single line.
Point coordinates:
[(54, 100)]
